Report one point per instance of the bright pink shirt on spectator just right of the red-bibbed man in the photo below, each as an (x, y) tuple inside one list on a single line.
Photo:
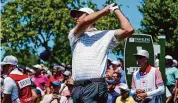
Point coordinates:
[(40, 81)]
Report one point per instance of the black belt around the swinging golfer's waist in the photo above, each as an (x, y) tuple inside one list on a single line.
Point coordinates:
[(88, 81)]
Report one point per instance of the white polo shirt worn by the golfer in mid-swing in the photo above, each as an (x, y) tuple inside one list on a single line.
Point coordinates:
[(90, 53)]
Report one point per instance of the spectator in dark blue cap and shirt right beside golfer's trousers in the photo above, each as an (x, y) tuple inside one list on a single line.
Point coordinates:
[(112, 94)]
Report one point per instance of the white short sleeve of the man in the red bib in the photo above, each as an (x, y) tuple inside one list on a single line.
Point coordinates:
[(8, 85)]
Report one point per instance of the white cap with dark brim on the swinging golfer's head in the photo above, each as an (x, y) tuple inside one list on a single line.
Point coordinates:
[(84, 10)]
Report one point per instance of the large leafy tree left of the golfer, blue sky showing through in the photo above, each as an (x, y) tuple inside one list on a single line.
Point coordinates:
[(30, 24)]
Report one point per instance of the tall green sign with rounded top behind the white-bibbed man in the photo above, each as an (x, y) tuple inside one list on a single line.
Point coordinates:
[(132, 44)]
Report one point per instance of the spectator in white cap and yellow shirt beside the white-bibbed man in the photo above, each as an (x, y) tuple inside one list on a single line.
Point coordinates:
[(124, 98)]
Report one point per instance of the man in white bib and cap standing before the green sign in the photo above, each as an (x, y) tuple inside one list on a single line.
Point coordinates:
[(147, 81)]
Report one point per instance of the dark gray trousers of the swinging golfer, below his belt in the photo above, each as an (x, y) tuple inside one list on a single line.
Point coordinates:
[(95, 92)]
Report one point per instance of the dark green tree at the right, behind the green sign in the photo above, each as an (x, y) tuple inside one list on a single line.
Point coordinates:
[(161, 15)]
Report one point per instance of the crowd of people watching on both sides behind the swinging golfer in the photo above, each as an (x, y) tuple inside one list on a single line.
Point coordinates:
[(54, 84)]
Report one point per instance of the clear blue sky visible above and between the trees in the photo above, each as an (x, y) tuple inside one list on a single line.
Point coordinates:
[(129, 9)]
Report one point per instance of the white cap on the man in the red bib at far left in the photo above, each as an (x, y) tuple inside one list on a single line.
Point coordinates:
[(9, 60)]
